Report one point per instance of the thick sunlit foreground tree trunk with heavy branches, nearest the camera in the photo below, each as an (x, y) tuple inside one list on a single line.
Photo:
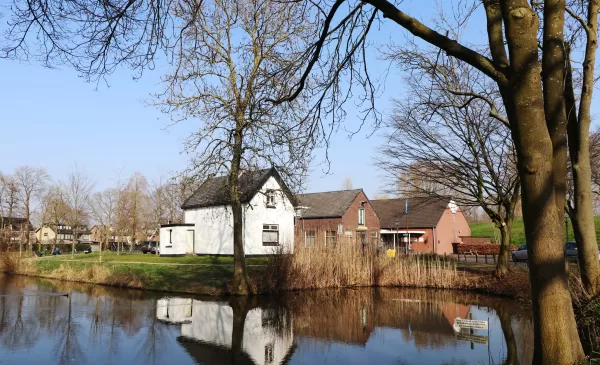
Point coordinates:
[(555, 332)]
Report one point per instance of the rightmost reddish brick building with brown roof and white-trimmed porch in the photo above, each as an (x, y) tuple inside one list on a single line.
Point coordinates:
[(431, 225)]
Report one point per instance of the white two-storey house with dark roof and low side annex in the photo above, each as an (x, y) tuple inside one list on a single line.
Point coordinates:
[(268, 218)]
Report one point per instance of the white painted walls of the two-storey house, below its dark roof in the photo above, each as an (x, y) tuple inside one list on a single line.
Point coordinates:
[(214, 225)]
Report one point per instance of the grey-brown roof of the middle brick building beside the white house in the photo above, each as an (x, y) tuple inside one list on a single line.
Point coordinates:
[(331, 204)]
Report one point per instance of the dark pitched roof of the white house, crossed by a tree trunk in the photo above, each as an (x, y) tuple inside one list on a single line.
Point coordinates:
[(215, 191)]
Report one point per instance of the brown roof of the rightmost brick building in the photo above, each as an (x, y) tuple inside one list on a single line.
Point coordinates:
[(422, 212)]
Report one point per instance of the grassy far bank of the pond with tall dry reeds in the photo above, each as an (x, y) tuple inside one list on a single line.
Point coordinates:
[(306, 269)]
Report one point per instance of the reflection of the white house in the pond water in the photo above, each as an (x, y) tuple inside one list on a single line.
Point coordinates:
[(209, 330)]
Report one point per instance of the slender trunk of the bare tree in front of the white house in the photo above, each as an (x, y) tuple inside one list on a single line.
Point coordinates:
[(239, 284)]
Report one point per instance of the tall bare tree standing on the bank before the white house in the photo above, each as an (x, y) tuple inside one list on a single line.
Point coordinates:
[(225, 84)]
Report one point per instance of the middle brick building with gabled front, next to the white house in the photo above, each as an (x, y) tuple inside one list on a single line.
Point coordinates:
[(335, 216)]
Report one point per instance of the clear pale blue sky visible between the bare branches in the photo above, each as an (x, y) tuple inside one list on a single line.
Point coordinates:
[(52, 118)]
